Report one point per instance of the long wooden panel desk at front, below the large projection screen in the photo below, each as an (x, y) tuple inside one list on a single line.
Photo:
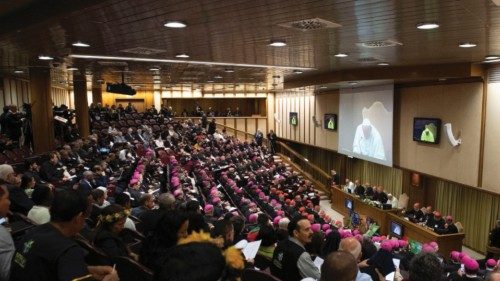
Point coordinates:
[(383, 218)]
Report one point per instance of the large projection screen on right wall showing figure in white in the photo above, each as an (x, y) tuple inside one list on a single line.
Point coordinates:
[(365, 123)]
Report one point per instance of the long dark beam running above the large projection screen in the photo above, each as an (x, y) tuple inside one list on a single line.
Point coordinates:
[(396, 73)]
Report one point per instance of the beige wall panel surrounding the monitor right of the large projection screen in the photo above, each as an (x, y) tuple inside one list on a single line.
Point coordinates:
[(458, 164)]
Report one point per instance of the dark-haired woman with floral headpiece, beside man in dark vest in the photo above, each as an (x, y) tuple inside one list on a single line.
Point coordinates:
[(111, 223)]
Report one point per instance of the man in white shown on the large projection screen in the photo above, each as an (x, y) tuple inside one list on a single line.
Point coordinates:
[(367, 141)]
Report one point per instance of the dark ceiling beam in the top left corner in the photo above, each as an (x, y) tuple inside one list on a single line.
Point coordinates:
[(41, 12)]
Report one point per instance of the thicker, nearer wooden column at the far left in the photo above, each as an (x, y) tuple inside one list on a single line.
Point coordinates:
[(41, 110)]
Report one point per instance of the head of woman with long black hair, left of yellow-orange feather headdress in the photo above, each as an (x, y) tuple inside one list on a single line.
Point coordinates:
[(172, 227)]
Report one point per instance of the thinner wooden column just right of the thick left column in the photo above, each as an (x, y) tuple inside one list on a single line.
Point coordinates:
[(81, 105)]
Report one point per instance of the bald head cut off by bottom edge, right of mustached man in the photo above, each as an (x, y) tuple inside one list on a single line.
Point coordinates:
[(339, 266)]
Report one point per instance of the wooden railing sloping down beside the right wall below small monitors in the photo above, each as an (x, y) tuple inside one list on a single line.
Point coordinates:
[(320, 178)]
